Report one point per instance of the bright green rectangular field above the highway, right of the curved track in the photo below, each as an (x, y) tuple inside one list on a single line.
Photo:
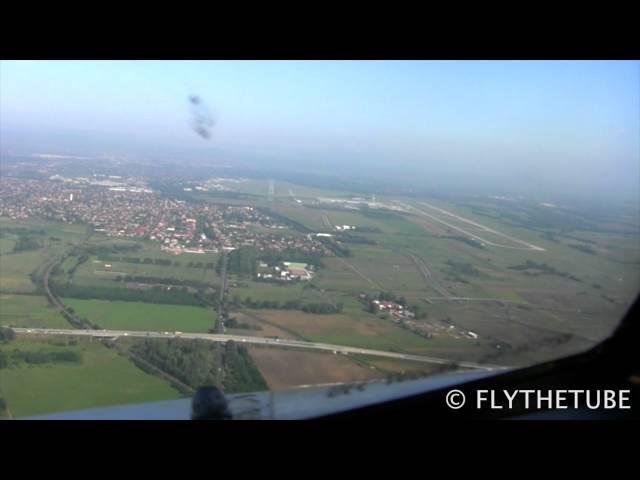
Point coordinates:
[(116, 315)]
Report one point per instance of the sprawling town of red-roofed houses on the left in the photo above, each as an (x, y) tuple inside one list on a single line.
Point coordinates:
[(127, 208)]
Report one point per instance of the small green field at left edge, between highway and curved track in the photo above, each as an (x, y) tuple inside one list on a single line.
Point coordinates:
[(29, 311)]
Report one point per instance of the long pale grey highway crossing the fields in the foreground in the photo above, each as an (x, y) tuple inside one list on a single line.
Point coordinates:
[(256, 341)]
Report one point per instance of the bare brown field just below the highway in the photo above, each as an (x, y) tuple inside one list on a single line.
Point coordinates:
[(289, 368)]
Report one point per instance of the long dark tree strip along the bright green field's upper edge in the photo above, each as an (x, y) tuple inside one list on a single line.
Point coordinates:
[(175, 296)]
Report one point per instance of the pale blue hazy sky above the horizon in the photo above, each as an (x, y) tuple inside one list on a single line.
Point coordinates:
[(557, 124)]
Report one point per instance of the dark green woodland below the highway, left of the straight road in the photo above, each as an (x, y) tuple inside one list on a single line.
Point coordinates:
[(193, 362)]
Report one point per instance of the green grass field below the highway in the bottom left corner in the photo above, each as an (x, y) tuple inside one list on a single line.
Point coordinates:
[(104, 378)]
